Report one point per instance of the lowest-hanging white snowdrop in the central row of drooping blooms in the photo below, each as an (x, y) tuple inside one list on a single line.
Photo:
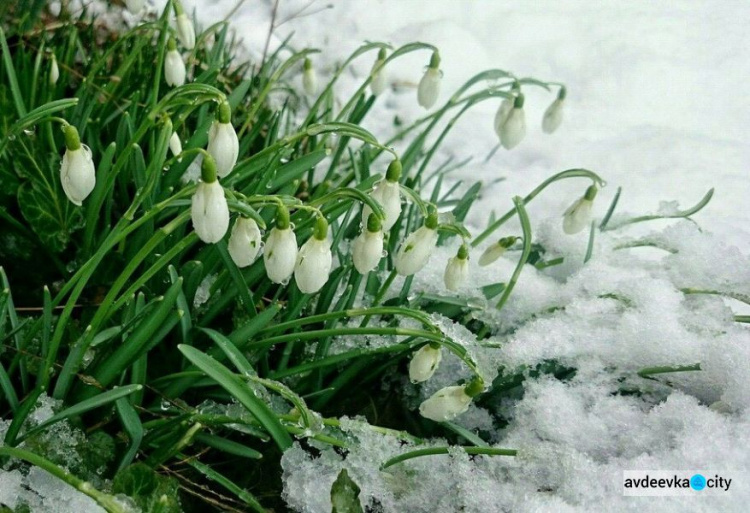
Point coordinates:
[(314, 260)]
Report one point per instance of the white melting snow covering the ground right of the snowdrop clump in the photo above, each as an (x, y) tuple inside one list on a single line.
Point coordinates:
[(657, 104)]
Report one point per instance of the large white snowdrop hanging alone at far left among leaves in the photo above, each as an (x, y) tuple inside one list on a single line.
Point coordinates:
[(77, 172)]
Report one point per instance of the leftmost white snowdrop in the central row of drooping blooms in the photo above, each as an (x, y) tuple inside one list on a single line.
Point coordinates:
[(209, 208)]
